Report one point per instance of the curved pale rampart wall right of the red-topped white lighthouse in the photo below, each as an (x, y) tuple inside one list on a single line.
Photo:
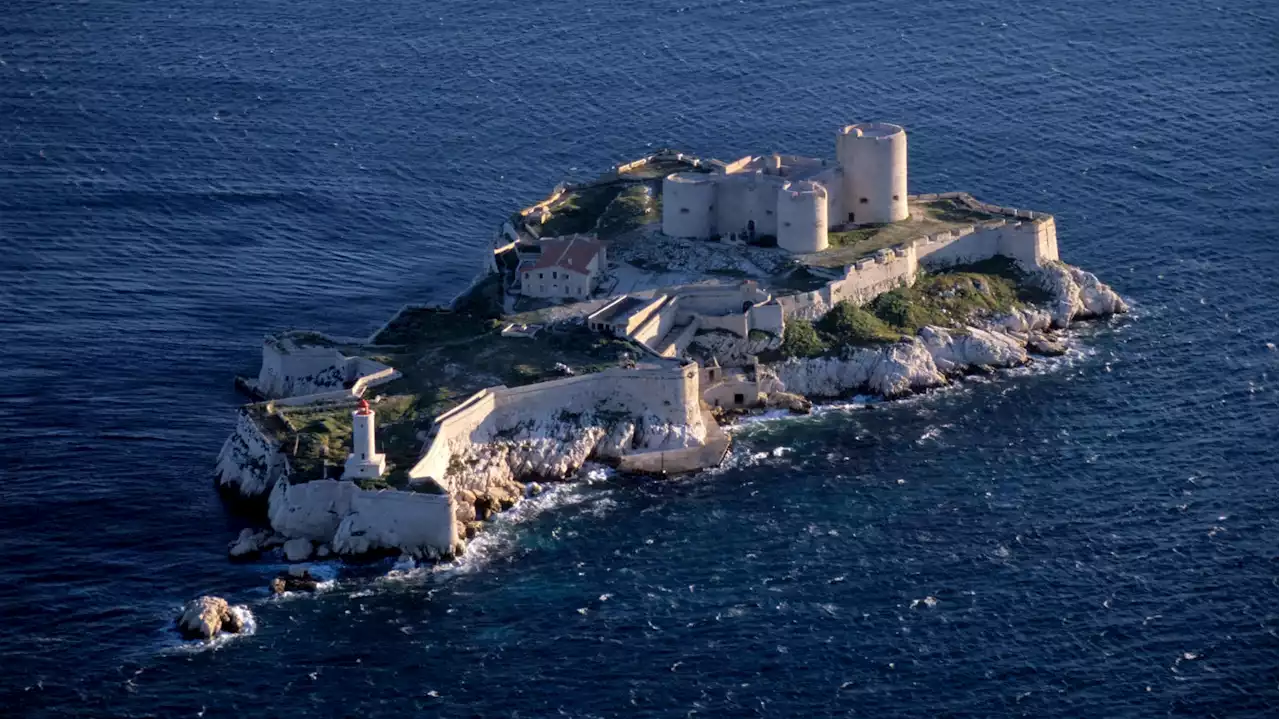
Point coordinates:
[(666, 395)]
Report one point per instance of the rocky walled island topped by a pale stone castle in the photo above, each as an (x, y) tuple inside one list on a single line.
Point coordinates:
[(628, 320)]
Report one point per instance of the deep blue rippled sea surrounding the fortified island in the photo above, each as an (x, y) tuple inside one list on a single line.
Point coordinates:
[(1101, 537)]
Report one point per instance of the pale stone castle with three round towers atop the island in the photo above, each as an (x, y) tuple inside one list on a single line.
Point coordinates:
[(797, 200)]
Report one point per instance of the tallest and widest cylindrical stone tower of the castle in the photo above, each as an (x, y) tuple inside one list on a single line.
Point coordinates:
[(874, 159)]
